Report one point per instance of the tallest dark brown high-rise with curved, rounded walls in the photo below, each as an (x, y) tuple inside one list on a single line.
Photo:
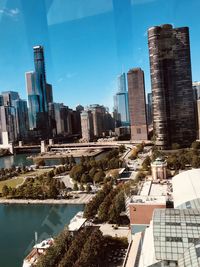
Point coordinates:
[(172, 94)]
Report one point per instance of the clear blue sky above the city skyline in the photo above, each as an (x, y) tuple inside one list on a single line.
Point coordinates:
[(88, 43)]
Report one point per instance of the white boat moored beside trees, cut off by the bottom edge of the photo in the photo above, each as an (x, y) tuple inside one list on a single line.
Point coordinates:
[(38, 250)]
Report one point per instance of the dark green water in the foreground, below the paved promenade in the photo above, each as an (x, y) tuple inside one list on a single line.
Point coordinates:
[(18, 224)]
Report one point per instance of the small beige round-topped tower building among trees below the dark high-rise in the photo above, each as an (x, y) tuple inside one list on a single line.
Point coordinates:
[(159, 169)]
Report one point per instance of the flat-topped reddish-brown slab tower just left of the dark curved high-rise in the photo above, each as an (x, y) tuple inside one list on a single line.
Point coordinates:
[(137, 104)]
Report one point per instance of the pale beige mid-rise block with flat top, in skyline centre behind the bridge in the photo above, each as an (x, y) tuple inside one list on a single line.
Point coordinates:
[(87, 128)]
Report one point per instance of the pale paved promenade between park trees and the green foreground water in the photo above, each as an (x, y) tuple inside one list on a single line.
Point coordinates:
[(81, 199)]
